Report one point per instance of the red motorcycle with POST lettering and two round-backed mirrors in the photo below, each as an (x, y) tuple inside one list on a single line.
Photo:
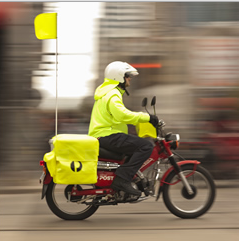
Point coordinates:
[(187, 188)]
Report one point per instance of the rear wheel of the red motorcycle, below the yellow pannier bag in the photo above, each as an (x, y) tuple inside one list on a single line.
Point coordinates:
[(75, 209)]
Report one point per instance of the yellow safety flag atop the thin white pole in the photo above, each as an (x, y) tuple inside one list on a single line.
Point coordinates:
[(46, 26)]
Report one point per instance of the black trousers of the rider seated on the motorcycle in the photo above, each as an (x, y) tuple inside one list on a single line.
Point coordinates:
[(138, 148)]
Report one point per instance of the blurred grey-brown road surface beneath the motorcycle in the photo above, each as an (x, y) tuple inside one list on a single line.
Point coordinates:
[(26, 217)]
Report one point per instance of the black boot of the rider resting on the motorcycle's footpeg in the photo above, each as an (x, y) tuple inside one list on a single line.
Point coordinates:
[(120, 184)]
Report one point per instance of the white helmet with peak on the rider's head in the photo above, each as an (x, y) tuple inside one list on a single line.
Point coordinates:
[(117, 71)]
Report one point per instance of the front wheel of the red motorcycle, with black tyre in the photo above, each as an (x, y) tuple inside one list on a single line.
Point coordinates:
[(184, 205)]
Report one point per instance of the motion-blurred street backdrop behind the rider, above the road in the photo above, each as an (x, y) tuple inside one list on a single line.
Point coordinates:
[(187, 54)]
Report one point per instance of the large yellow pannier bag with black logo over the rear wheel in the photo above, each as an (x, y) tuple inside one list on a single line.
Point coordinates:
[(73, 159)]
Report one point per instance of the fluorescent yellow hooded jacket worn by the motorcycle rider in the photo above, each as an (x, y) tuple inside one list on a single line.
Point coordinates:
[(109, 115)]
